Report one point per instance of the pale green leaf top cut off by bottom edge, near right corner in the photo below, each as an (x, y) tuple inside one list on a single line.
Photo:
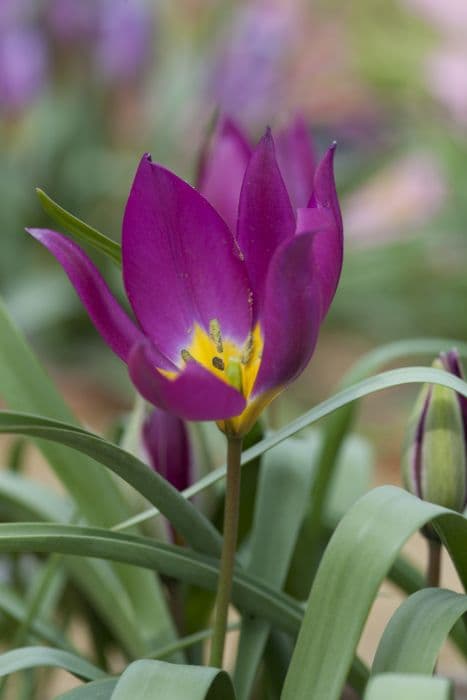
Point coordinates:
[(403, 687)]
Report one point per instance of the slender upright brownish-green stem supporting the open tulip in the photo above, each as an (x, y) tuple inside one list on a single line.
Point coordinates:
[(232, 502)]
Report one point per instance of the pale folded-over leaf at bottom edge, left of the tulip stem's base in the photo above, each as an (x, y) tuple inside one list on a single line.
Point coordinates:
[(145, 680)]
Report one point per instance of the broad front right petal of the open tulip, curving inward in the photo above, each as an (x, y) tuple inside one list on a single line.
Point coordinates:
[(291, 314)]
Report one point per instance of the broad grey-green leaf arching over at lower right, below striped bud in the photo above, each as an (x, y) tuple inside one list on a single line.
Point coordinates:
[(358, 557)]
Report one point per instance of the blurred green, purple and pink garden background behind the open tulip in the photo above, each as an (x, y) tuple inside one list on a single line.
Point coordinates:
[(86, 86)]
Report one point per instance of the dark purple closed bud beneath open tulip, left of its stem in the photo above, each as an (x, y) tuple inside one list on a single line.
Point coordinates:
[(166, 441)]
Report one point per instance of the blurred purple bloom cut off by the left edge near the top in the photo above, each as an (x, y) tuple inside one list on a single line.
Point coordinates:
[(23, 66)]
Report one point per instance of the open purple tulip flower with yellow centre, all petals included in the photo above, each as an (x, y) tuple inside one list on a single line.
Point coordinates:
[(228, 309)]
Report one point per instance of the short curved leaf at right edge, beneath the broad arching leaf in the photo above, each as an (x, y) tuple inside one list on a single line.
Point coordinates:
[(416, 632)]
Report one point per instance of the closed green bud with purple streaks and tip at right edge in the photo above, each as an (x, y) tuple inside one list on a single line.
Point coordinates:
[(434, 456)]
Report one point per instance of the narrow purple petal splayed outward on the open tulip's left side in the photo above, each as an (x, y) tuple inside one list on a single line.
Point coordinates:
[(117, 329)]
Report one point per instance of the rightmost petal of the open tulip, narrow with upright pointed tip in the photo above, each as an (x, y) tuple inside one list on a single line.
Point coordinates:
[(329, 245)]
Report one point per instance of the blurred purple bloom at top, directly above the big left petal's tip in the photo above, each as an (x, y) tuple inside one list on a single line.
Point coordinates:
[(124, 38)]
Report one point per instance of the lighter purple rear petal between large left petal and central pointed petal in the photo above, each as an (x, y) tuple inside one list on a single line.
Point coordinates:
[(223, 169)]
